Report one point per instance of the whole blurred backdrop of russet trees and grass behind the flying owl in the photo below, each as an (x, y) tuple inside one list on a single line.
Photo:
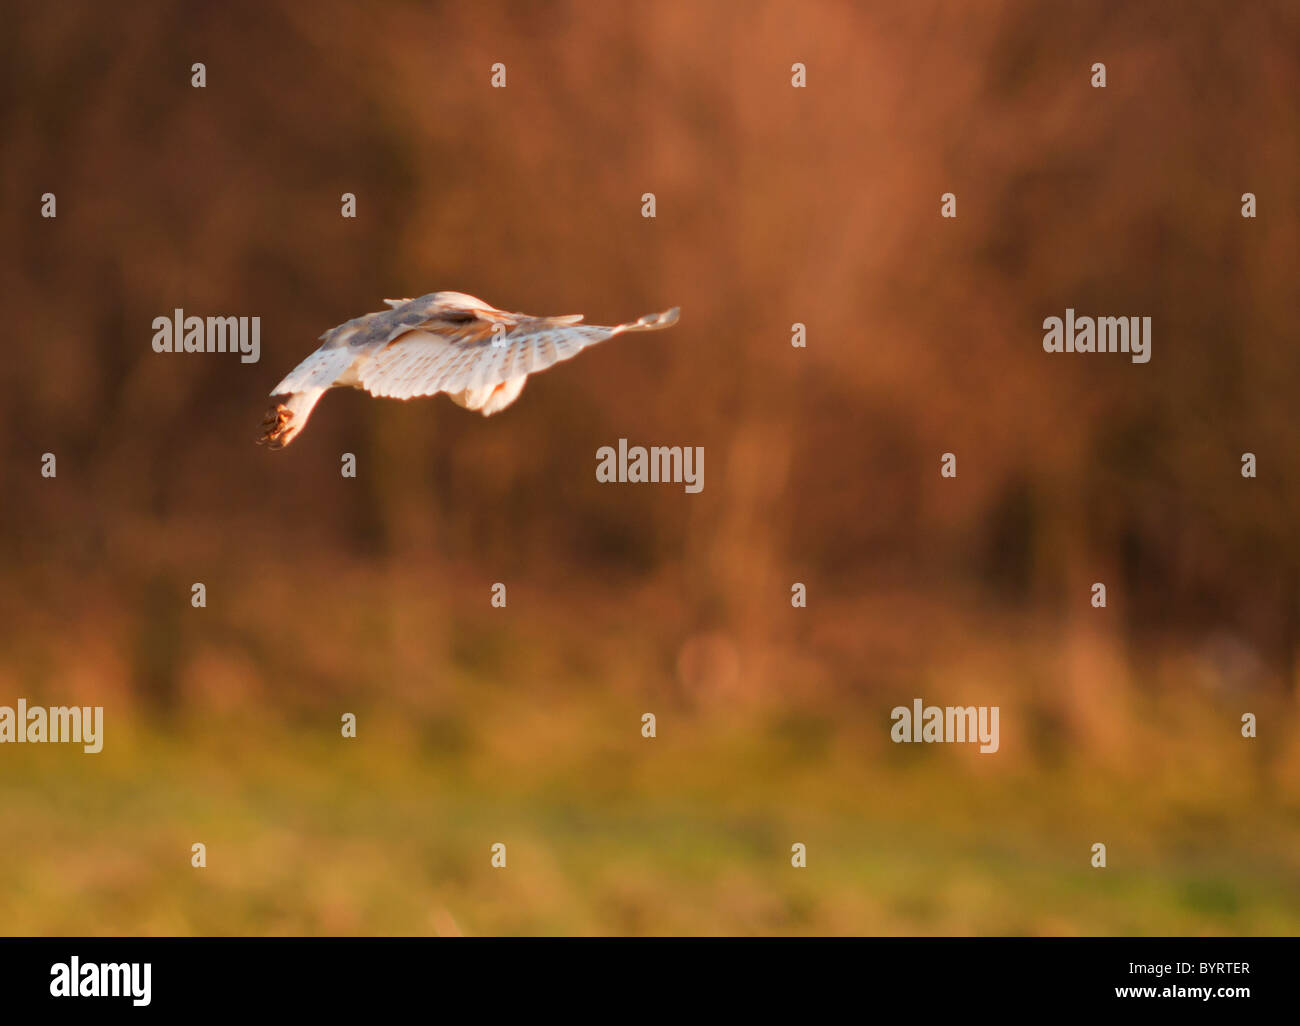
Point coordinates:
[(522, 726)]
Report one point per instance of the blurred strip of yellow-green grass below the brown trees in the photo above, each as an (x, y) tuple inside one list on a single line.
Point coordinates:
[(391, 834)]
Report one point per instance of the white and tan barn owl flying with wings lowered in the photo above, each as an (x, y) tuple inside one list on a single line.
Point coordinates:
[(440, 343)]
